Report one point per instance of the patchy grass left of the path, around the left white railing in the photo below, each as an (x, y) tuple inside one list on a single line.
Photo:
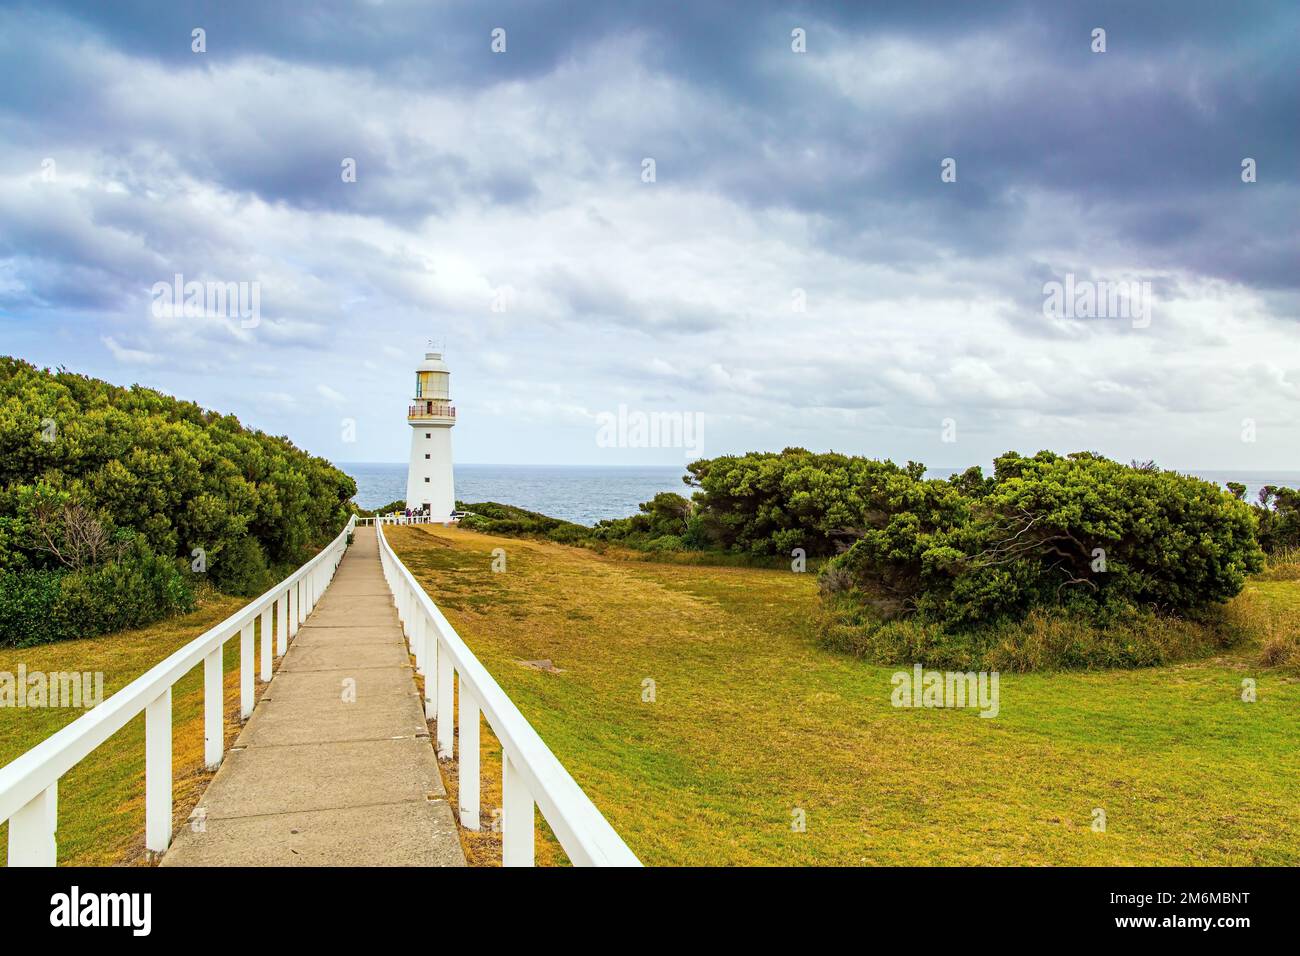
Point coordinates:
[(102, 799)]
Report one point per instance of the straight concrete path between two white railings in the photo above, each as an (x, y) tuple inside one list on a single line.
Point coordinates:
[(318, 781)]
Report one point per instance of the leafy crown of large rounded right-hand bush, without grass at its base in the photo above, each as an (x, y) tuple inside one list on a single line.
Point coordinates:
[(1051, 530)]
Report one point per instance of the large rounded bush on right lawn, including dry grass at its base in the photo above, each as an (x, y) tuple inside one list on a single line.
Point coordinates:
[(1076, 560)]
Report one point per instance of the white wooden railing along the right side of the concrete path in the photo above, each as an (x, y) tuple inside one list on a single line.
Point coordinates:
[(532, 776)]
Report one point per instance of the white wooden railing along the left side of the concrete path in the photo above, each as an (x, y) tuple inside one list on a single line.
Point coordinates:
[(29, 786)]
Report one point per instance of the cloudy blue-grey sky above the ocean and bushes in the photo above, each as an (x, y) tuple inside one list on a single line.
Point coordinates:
[(798, 272)]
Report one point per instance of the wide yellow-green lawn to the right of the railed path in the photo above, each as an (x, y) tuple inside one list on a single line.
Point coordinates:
[(753, 719)]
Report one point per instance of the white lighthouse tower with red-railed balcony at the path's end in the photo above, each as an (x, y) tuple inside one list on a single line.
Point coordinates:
[(430, 483)]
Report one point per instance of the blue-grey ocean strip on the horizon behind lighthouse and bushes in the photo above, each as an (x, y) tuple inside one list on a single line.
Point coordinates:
[(591, 494)]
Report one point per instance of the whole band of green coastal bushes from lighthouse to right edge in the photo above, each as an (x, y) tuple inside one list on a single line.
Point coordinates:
[(1051, 563)]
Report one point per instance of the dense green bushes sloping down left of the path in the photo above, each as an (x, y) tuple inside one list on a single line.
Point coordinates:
[(107, 494)]
